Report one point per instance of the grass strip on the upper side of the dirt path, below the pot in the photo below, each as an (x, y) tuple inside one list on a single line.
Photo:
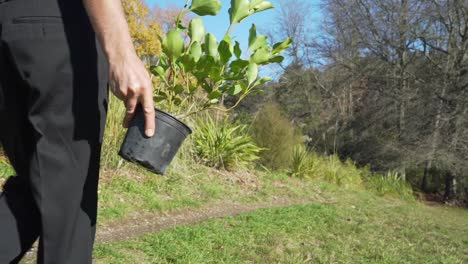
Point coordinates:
[(188, 185)]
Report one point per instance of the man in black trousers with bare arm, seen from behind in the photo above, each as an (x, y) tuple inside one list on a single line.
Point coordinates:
[(56, 60)]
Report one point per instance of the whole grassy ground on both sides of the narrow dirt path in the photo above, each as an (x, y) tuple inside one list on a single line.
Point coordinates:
[(368, 221)]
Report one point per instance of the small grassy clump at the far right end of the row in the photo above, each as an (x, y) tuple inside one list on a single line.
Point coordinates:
[(390, 184)]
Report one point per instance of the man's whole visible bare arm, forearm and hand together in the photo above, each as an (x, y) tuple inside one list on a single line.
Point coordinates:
[(129, 79)]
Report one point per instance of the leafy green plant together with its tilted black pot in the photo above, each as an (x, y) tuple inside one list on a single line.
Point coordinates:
[(194, 73)]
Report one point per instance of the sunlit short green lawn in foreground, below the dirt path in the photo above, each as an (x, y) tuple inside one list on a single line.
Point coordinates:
[(359, 227)]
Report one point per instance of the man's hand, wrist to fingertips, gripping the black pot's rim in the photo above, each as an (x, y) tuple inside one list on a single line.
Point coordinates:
[(131, 83)]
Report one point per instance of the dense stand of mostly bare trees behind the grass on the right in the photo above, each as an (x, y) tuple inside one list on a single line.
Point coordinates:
[(384, 83)]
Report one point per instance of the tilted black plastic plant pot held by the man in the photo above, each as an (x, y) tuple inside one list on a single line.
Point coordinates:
[(154, 153)]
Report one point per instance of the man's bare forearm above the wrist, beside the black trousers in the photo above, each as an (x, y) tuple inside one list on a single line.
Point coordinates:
[(109, 23)]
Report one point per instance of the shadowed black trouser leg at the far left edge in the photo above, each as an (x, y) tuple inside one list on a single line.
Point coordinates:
[(19, 217)]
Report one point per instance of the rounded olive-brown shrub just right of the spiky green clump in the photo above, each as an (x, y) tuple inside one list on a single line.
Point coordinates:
[(274, 132)]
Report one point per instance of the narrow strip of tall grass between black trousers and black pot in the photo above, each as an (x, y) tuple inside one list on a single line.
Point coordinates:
[(114, 133)]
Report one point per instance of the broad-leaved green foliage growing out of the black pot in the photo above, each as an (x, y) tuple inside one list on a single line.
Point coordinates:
[(195, 75)]
